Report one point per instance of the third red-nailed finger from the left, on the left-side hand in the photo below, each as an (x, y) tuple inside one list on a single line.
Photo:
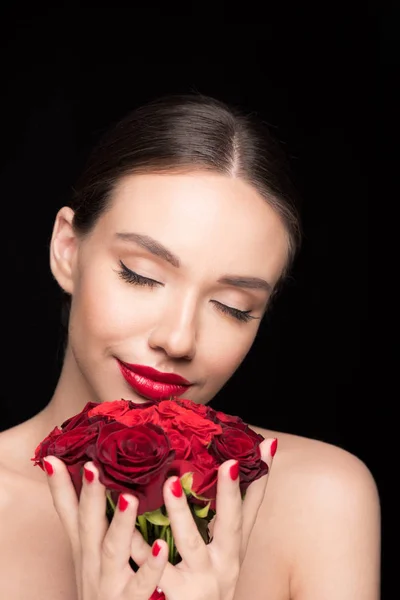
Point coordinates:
[(116, 549)]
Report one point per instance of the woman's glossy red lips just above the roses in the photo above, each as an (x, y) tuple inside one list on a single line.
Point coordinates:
[(153, 384)]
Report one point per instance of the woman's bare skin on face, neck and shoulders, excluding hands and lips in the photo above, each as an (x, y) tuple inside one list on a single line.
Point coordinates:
[(317, 533)]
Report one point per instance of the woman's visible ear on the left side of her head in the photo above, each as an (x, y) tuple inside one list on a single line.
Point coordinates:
[(63, 249)]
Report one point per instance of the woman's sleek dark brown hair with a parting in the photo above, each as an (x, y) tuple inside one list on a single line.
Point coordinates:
[(180, 133)]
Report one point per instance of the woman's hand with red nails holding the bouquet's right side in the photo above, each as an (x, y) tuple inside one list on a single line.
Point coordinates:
[(209, 572)]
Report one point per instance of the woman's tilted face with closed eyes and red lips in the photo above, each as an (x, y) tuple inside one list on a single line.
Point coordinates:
[(176, 276)]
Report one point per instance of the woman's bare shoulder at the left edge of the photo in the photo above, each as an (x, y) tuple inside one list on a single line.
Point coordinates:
[(31, 533)]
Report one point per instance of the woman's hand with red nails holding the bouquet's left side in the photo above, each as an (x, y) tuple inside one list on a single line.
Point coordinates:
[(101, 551)]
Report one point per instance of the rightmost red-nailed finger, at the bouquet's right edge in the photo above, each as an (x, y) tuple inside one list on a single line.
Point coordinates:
[(256, 491)]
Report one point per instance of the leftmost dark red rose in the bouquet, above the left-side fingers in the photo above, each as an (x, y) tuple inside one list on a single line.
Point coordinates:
[(72, 447)]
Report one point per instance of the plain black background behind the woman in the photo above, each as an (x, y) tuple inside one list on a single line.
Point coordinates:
[(319, 79)]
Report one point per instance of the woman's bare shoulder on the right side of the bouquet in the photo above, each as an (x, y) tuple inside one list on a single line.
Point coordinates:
[(323, 506)]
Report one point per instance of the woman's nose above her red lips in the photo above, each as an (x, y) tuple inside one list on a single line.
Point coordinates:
[(175, 332)]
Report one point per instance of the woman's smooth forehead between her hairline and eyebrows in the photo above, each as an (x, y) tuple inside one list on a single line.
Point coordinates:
[(201, 212)]
